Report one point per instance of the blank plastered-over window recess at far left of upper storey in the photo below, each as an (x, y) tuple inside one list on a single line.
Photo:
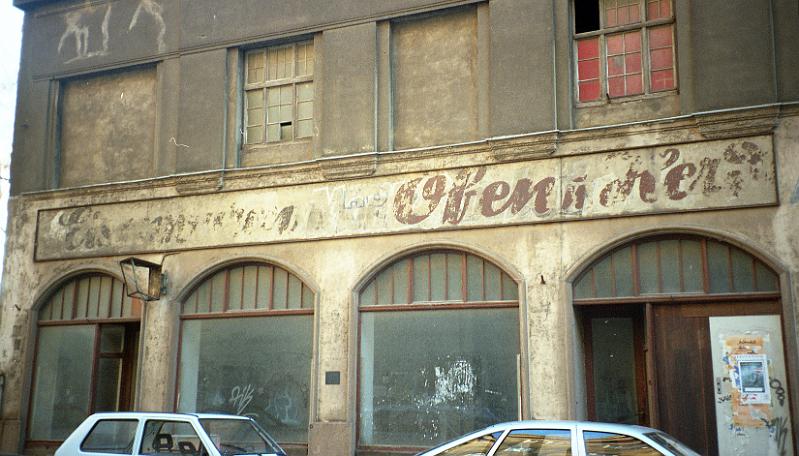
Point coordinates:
[(108, 127)]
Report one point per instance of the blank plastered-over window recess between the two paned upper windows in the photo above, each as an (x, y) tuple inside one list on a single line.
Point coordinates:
[(435, 83)]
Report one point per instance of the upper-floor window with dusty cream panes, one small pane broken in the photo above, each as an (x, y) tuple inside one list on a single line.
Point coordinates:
[(279, 93)]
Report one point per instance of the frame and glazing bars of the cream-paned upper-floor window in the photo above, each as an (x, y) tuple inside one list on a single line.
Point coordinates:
[(293, 81)]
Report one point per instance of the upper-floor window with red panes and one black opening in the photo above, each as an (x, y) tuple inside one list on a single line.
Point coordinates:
[(624, 48)]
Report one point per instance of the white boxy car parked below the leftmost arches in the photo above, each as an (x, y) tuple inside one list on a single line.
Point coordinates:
[(138, 433)]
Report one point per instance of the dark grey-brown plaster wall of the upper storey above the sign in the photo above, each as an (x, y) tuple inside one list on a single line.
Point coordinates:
[(503, 57)]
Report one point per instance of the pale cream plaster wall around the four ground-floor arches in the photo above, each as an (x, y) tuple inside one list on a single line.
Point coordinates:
[(543, 256)]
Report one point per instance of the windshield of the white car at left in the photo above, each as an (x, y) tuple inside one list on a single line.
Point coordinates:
[(238, 437)]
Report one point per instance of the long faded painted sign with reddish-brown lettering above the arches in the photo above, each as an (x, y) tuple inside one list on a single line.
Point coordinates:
[(710, 175)]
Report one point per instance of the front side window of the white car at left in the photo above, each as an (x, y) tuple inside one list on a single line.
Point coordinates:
[(162, 438)]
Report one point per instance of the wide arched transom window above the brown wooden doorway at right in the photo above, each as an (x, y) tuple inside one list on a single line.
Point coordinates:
[(669, 266)]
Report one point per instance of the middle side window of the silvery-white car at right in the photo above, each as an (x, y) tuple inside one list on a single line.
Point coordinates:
[(536, 442)]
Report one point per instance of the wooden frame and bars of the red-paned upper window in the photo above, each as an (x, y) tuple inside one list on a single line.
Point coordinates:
[(644, 25)]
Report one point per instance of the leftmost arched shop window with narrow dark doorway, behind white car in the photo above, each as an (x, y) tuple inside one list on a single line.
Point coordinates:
[(86, 355)]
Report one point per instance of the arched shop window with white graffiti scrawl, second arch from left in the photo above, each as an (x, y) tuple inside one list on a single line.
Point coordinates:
[(246, 345)]
